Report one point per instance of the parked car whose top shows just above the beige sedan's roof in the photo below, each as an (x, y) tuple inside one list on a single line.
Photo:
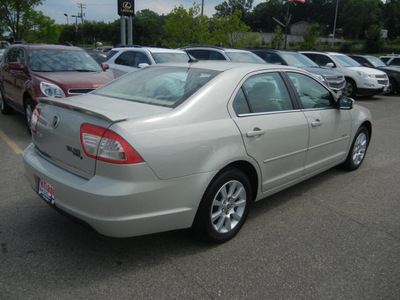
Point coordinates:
[(218, 53)]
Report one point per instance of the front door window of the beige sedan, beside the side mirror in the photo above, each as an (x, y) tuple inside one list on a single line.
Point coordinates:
[(311, 93)]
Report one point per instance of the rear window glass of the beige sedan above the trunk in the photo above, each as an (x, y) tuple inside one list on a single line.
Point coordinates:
[(162, 86)]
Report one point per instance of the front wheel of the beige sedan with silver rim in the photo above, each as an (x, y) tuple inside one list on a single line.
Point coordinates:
[(358, 150)]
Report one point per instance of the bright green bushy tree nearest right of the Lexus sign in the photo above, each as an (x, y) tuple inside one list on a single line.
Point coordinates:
[(186, 27)]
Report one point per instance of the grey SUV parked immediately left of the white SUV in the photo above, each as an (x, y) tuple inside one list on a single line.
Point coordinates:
[(334, 80)]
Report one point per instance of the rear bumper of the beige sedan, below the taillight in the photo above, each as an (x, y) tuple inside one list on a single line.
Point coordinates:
[(122, 204)]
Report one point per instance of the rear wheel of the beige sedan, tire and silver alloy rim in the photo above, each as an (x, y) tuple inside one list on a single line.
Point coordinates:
[(224, 206)]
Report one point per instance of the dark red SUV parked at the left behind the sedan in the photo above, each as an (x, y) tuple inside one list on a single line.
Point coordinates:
[(31, 71)]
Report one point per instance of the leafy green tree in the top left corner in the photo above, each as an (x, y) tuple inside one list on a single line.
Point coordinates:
[(20, 18)]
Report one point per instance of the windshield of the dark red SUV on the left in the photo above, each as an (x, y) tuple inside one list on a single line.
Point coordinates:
[(50, 60)]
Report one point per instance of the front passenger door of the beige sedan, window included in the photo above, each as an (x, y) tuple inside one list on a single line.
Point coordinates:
[(329, 127)]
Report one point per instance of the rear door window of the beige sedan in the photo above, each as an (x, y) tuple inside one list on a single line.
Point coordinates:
[(267, 93)]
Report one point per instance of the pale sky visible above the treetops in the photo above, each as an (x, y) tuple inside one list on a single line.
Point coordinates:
[(106, 10)]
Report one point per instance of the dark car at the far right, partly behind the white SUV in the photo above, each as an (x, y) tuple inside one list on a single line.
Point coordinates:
[(375, 62)]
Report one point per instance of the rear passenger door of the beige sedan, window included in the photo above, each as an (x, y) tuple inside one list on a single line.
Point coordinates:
[(275, 132)]
